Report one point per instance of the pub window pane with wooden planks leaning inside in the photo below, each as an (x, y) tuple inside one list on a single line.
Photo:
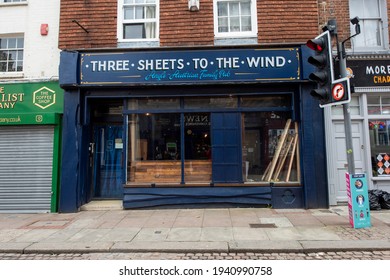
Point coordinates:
[(270, 147)]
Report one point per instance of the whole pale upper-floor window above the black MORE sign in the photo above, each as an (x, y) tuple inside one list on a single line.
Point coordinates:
[(373, 24)]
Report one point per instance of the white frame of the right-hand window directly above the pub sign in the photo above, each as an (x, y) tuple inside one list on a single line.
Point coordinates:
[(246, 34)]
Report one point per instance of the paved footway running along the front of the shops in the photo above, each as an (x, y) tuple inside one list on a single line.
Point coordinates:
[(103, 229)]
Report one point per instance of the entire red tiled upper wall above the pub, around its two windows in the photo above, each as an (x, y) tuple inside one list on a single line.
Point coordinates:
[(284, 21)]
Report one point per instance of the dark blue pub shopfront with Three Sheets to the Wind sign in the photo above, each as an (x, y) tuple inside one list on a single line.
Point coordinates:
[(193, 127)]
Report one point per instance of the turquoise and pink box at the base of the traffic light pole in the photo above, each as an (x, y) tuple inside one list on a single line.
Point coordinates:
[(358, 202)]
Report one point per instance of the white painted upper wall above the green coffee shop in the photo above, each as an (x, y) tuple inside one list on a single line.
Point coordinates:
[(41, 53)]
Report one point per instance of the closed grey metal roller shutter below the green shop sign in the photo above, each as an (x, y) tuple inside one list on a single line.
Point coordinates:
[(26, 160)]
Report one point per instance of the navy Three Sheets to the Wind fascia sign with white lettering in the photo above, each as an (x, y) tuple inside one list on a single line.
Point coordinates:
[(190, 66)]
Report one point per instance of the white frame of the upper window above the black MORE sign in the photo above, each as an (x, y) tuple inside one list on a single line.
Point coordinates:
[(383, 21)]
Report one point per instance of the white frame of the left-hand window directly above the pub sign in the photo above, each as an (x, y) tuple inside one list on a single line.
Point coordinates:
[(121, 22)]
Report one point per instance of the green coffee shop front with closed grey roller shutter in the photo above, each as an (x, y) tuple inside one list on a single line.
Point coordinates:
[(30, 137)]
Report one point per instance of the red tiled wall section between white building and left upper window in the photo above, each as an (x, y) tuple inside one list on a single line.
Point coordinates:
[(99, 17)]
